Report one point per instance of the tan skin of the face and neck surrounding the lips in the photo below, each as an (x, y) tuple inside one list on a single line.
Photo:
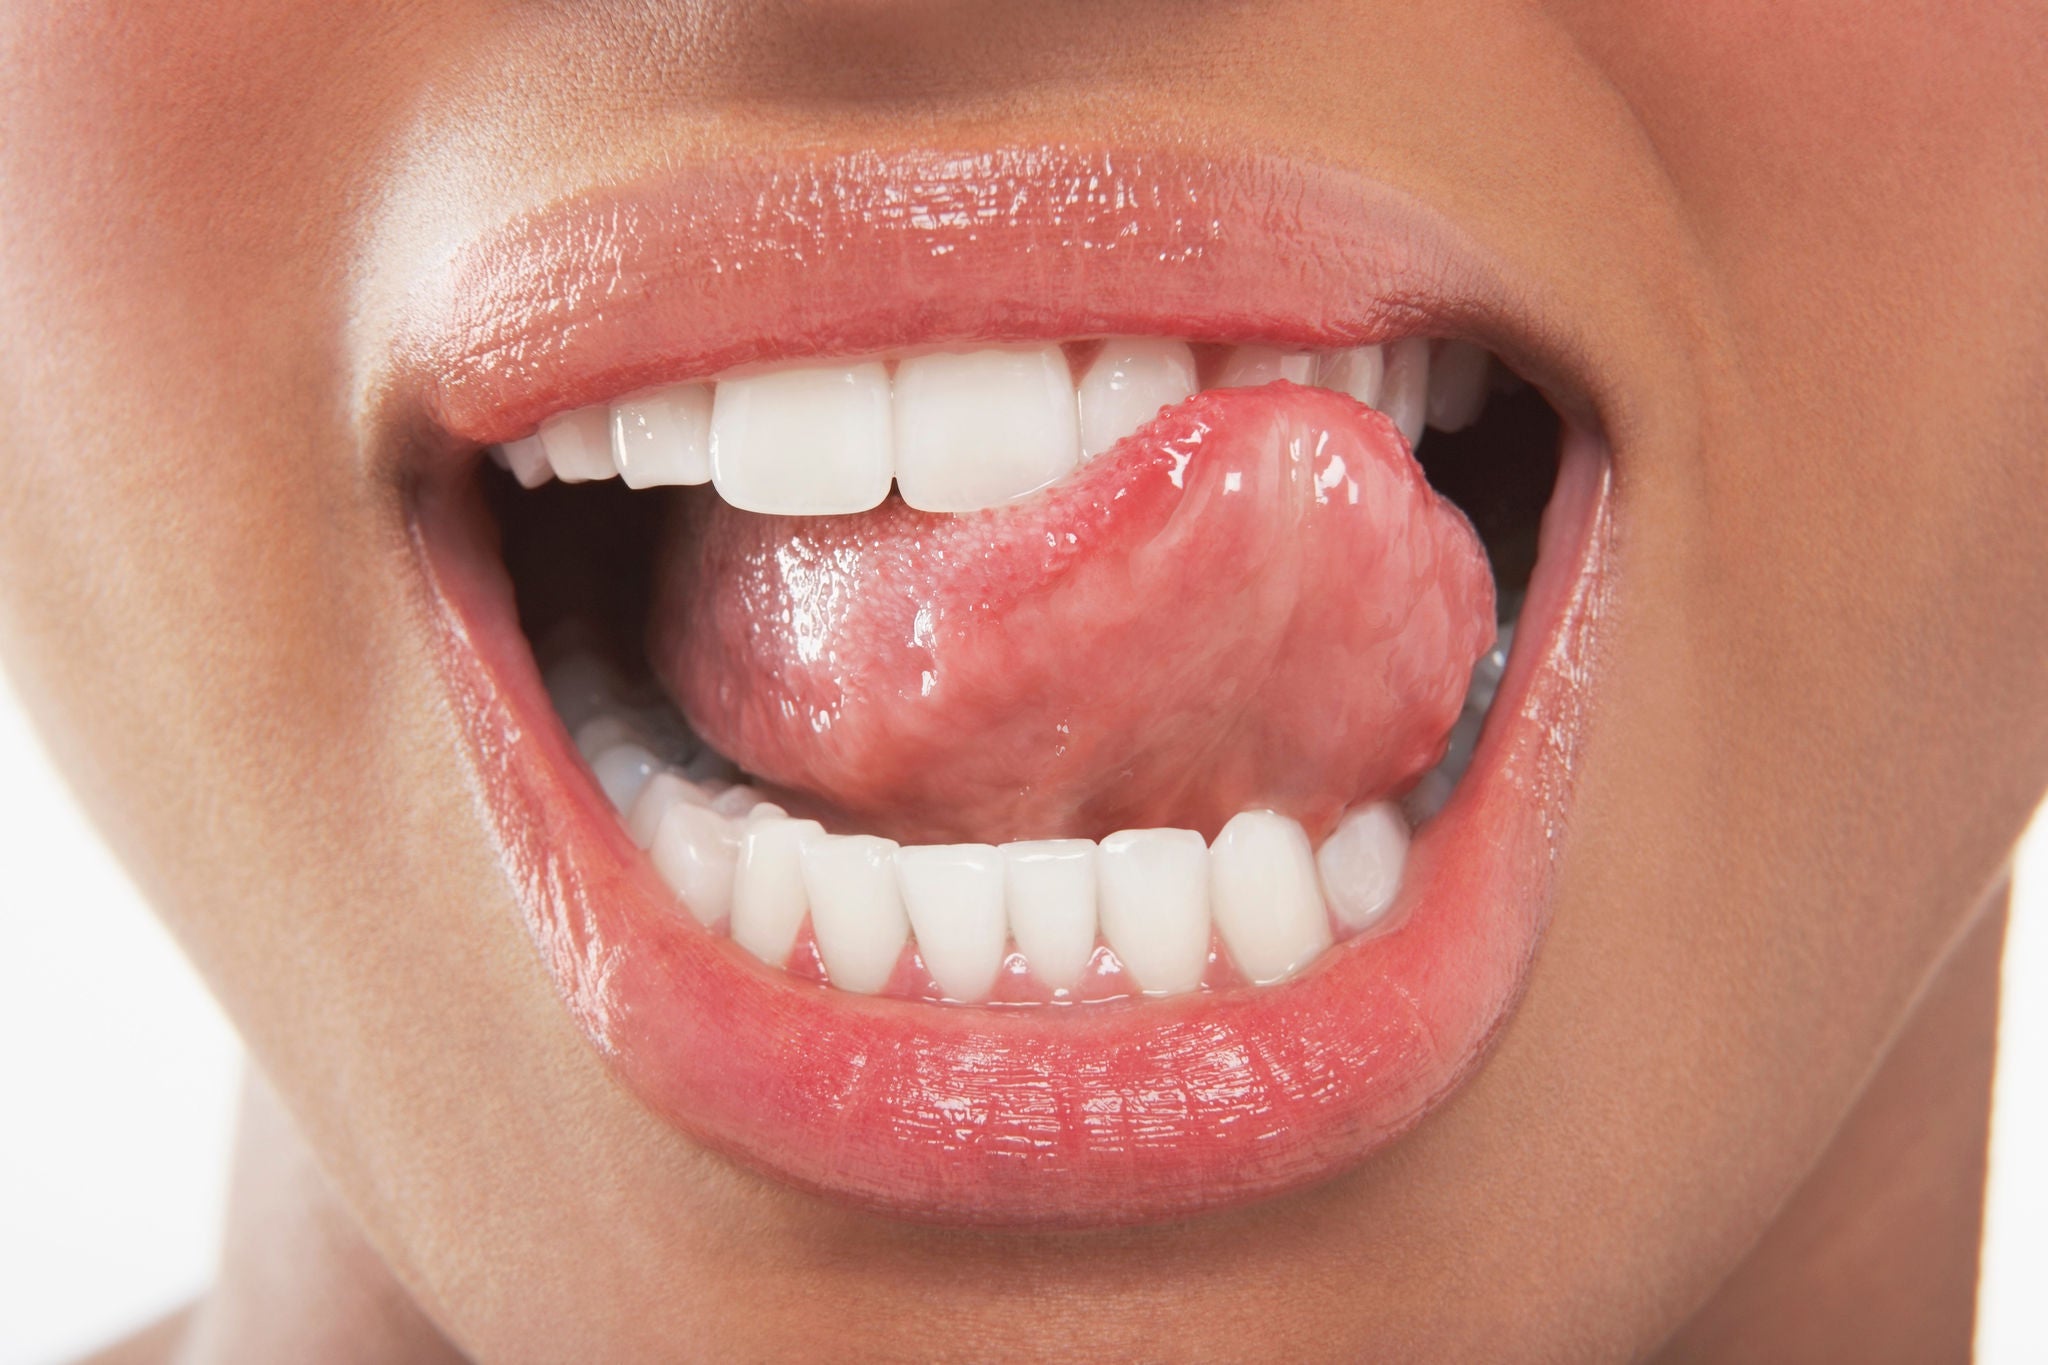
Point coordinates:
[(1756, 1047)]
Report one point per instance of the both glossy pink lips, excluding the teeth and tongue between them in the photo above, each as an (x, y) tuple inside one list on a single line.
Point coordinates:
[(1084, 1116)]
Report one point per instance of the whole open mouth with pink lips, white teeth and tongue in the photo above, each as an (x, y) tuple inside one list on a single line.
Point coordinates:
[(1029, 689)]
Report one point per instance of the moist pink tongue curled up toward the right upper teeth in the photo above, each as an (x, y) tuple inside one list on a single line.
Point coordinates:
[(1252, 603)]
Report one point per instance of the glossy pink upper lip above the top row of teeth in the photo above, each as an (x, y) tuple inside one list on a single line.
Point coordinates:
[(843, 255)]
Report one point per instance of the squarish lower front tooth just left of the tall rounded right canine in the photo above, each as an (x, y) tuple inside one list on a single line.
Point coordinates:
[(1154, 901)]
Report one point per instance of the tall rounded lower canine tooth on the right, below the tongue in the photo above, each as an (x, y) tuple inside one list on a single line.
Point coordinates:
[(1265, 895)]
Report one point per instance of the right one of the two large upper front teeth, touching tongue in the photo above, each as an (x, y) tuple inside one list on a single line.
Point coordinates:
[(982, 429)]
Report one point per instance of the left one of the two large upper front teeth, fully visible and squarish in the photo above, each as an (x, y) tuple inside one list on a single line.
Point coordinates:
[(812, 441)]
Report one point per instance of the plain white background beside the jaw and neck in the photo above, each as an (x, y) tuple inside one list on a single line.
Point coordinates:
[(118, 1080)]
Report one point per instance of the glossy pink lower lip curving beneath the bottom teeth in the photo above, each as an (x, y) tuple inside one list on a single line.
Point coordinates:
[(1062, 1116)]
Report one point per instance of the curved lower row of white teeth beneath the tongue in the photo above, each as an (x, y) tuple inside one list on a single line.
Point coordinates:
[(1148, 912)]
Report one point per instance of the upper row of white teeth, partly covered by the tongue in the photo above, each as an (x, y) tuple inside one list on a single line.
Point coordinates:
[(953, 431)]
